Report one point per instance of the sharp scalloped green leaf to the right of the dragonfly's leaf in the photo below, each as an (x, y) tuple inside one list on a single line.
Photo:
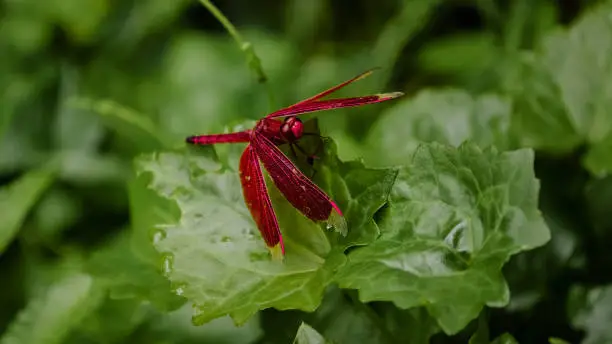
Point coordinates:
[(456, 215)]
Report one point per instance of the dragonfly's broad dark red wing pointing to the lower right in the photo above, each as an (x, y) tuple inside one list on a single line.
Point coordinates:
[(302, 193)]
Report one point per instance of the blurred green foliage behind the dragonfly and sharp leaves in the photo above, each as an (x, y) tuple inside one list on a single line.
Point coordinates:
[(87, 85)]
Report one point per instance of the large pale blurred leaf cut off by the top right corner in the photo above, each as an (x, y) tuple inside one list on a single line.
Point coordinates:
[(579, 61)]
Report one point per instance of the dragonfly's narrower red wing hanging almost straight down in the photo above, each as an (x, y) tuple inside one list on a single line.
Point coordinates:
[(258, 201)]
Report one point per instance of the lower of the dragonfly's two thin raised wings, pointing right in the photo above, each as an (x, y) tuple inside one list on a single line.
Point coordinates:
[(320, 105)]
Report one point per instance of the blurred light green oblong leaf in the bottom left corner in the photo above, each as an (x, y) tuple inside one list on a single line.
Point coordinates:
[(50, 316)]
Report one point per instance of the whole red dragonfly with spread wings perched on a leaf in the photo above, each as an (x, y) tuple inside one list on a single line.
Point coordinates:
[(270, 132)]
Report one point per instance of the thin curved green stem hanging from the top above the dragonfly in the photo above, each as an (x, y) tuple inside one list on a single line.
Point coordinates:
[(252, 59)]
